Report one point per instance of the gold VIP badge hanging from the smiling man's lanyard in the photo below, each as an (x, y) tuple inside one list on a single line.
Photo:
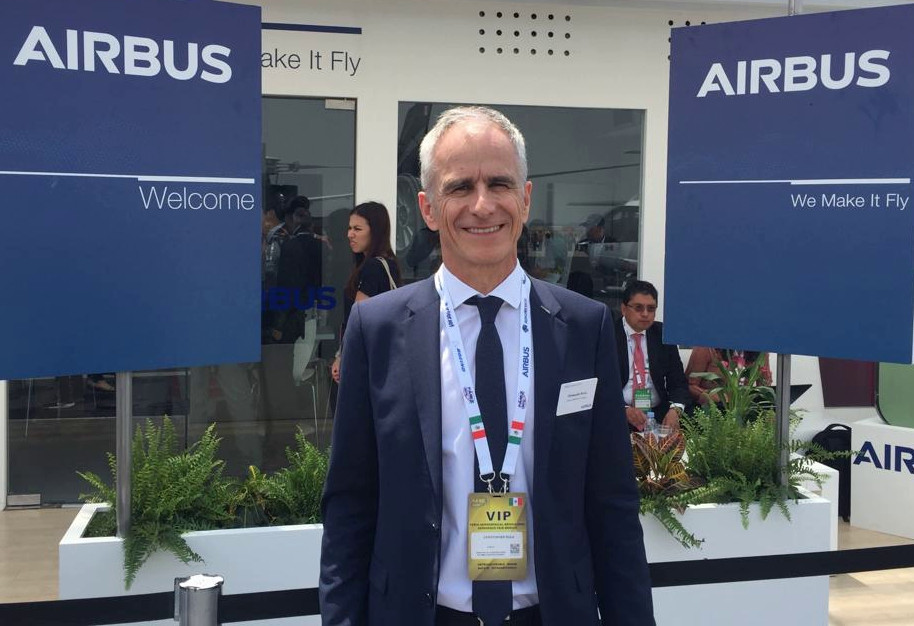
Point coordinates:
[(497, 541)]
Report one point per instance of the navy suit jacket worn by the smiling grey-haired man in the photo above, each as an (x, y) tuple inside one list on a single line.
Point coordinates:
[(382, 505)]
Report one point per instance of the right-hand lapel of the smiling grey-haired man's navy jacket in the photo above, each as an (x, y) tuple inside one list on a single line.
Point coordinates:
[(550, 341)]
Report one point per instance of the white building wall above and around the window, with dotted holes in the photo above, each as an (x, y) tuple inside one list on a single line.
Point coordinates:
[(429, 51)]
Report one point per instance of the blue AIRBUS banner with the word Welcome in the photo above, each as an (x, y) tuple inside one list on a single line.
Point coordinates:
[(130, 193)]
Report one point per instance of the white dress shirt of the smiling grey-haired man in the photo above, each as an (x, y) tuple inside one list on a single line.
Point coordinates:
[(455, 589)]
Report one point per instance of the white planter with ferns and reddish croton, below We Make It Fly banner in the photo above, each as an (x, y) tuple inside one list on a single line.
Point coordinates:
[(730, 457)]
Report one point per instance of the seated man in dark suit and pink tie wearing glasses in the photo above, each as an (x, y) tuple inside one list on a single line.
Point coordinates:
[(666, 381)]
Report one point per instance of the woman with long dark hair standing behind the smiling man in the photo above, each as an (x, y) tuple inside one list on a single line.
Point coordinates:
[(375, 268)]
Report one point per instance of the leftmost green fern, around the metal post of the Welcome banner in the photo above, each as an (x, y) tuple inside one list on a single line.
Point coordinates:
[(172, 491)]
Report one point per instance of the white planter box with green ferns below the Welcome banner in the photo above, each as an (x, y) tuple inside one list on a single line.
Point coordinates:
[(185, 511)]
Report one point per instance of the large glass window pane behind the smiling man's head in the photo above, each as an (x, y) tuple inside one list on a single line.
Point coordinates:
[(584, 227)]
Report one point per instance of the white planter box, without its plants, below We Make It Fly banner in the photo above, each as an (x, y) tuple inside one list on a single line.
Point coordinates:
[(762, 603)]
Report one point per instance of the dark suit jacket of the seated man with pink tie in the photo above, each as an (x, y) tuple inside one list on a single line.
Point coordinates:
[(666, 368)]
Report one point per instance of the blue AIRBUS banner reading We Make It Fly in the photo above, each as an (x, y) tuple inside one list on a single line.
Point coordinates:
[(790, 226)]
